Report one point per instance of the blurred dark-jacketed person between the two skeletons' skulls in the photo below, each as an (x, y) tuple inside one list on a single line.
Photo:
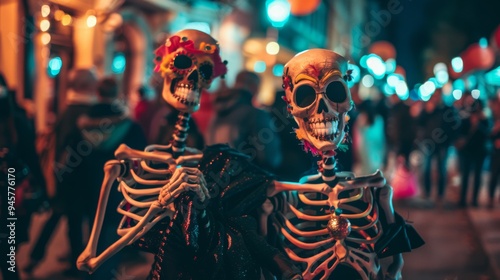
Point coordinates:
[(246, 128)]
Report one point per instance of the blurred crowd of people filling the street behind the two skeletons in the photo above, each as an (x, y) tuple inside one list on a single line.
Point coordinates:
[(61, 171)]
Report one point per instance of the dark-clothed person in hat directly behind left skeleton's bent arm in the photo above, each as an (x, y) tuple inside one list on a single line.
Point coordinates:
[(104, 127)]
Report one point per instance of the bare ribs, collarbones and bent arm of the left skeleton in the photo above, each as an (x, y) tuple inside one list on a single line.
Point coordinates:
[(144, 206)]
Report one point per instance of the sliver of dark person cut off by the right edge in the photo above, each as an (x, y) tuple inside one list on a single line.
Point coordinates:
[(495, 152)]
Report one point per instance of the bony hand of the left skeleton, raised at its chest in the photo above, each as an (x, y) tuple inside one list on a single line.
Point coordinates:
[(184, 179)]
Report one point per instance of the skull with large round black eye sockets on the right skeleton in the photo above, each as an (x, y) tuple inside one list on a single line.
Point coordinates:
[(315, 83)]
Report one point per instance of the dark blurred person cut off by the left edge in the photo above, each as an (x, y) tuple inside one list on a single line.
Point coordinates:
[(18, 161)]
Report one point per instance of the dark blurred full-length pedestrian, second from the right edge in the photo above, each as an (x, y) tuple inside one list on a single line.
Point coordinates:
[(471, 148)]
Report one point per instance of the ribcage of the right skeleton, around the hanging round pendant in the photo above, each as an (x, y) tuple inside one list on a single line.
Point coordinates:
[(307, 239)]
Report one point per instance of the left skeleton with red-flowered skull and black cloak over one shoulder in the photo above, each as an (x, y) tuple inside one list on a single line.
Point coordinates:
[(166, 189)]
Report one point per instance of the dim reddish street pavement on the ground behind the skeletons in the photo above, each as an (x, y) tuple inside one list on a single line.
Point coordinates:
[(461, 244)]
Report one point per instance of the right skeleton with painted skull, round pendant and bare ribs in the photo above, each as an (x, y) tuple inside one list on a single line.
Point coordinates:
[(334, 224)]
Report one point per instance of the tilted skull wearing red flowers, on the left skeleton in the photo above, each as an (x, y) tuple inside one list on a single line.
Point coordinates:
[(188, 62)]
